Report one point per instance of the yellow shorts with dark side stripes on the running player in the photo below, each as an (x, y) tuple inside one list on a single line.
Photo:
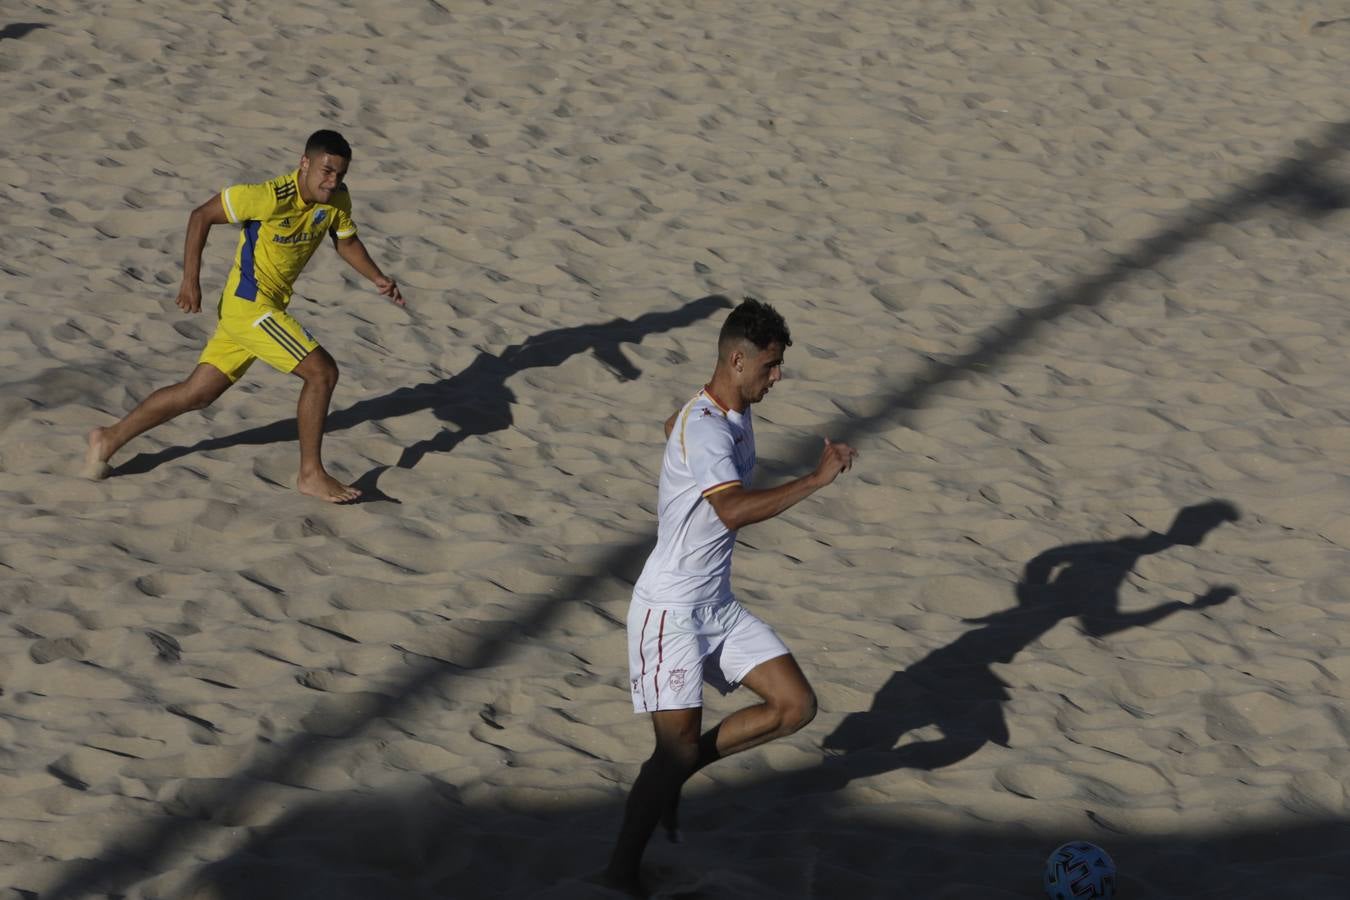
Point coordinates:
[(248, 331)]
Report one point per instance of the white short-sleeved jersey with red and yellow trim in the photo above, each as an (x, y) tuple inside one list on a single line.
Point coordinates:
[(711, 450)]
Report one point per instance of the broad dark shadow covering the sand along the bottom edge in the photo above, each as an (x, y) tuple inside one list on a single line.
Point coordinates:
[(769, 839)]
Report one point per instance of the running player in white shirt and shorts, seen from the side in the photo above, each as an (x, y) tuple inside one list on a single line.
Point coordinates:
[(684, 625)]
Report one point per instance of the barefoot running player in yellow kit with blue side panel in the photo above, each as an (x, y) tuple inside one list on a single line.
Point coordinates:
[(283, 222)]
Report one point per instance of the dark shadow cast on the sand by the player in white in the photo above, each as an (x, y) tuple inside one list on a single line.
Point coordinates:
[(956, 689)]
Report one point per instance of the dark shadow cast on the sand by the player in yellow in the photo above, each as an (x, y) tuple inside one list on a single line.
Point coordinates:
[(475, 401)]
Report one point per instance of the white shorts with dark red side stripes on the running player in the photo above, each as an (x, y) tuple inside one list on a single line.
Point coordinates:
[(672, 652)]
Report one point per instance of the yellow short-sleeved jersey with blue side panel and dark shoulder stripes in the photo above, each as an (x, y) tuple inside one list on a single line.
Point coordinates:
[(279, 234)]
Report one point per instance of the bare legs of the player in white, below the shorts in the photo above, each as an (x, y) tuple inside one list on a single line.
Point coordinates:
[(788, 706)]
